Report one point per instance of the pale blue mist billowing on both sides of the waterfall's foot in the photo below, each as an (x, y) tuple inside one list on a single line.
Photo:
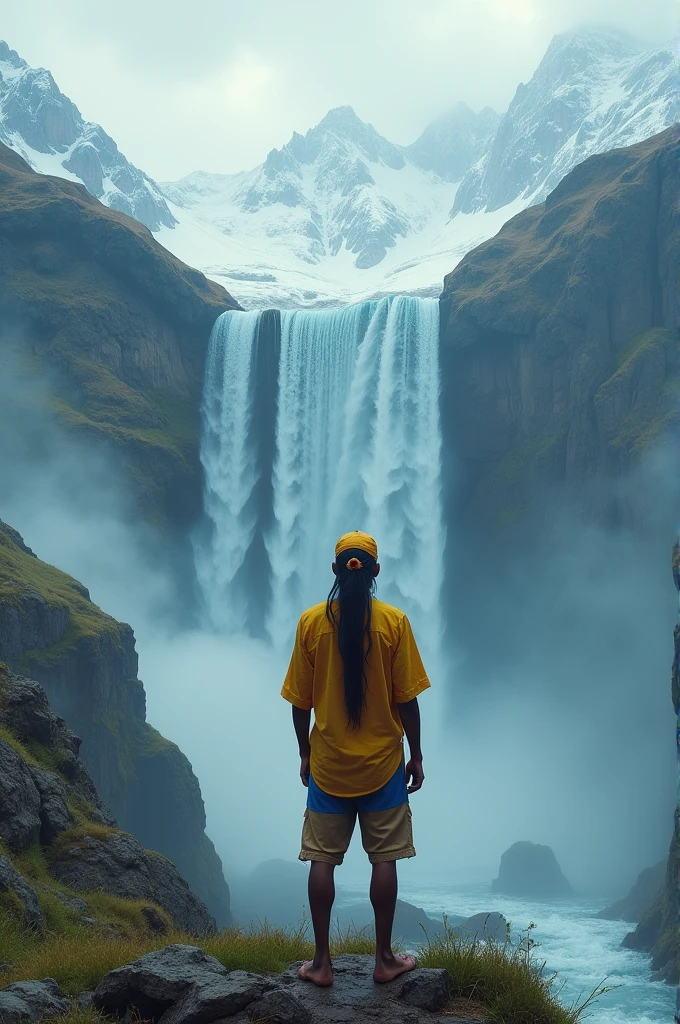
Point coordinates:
[(562, 735)]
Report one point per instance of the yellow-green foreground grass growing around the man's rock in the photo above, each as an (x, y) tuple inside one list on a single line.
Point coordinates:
[(507, 979)]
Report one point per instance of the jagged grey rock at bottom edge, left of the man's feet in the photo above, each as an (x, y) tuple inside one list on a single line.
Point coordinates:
[(156, 982)]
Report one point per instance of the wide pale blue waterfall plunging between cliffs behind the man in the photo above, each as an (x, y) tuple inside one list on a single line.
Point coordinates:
[(348, 439)]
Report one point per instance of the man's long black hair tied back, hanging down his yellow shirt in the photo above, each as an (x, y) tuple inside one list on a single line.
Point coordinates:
[(354, 590)]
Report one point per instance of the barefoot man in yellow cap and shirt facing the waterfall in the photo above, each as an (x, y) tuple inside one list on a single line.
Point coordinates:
[(356, 663)]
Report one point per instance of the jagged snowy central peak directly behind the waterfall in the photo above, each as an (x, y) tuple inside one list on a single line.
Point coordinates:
[(341, 189)]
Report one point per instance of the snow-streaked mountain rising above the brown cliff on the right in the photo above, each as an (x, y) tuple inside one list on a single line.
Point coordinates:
[(592, 93)]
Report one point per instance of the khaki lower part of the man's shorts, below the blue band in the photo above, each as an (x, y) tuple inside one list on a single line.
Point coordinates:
[(386, 835)]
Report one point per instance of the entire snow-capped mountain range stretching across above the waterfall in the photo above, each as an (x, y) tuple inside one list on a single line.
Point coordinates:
[(342, 214)]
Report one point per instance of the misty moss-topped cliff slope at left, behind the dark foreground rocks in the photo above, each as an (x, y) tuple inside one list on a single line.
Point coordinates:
[(51, 631)]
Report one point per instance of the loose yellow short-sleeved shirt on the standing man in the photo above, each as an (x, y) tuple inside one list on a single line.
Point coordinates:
[(349, 762)]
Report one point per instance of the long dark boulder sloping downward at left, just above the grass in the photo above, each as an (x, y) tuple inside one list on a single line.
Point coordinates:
[(118, 865)]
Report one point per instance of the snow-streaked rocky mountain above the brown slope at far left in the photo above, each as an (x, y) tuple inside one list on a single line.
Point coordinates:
[(49, 132)]
